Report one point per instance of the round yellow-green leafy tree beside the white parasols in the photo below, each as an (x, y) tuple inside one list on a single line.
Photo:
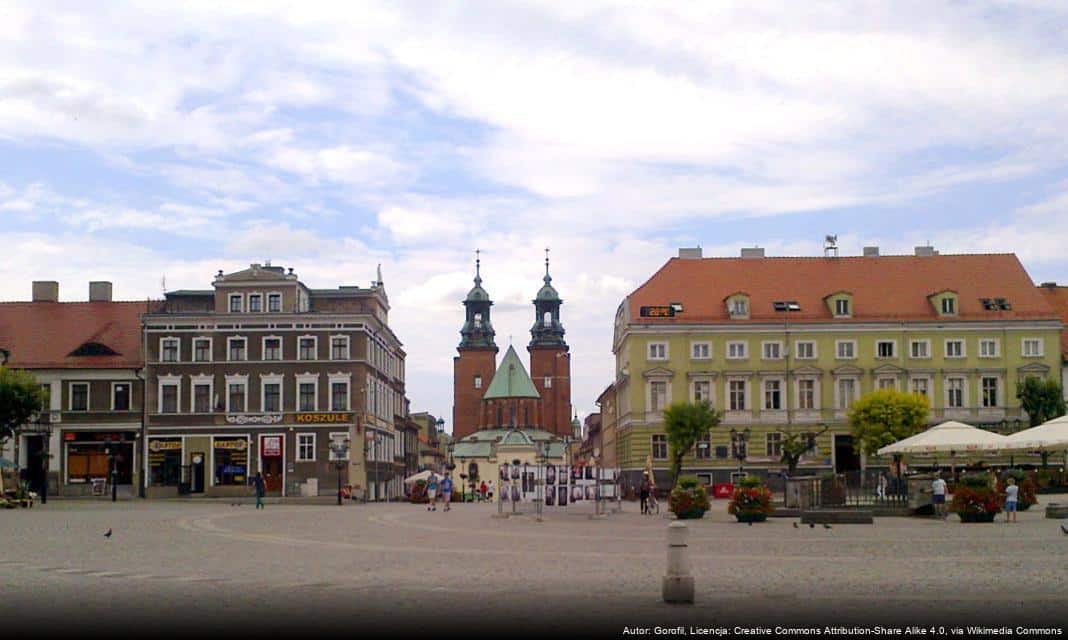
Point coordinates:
[(887, 416)]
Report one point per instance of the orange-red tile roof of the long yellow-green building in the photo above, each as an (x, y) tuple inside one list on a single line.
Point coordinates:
[(887, 288)]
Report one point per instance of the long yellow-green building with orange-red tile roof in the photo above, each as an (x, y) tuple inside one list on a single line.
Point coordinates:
[(787, 345)]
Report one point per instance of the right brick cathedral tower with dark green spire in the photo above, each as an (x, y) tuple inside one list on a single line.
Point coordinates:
[(551, 361)]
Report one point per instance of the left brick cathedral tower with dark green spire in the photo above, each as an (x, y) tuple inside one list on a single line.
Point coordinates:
[(475, 367)]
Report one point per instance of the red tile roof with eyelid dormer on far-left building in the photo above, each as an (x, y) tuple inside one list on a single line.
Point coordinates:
[(43, 335)]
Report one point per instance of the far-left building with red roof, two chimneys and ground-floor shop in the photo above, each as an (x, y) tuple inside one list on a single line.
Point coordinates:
[(88, 357)]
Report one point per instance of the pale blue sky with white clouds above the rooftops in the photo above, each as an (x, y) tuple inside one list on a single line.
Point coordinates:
[(153, 144)]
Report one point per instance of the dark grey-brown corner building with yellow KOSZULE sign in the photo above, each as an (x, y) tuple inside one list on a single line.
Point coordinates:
[(263, 374)]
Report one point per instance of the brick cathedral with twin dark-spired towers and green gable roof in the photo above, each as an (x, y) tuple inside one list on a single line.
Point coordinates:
[(490, 397)]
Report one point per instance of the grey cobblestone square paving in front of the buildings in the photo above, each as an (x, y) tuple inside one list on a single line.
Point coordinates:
[(172, 566)]
